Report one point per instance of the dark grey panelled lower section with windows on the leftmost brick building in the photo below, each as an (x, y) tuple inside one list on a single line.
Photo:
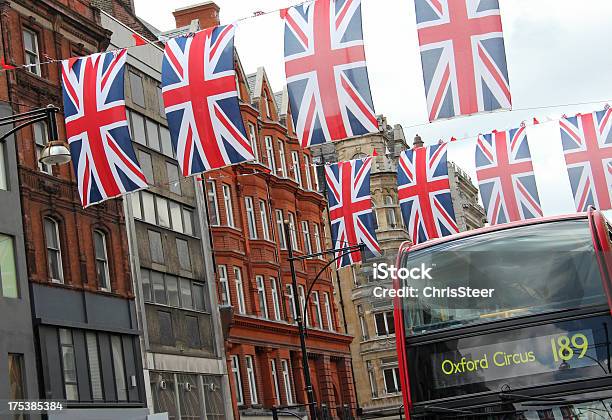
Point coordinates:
[(90, 354)]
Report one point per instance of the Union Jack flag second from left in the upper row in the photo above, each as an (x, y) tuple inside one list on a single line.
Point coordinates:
[(201, 101)]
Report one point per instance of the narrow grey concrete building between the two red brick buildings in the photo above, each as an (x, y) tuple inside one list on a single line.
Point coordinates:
[(174, 283)]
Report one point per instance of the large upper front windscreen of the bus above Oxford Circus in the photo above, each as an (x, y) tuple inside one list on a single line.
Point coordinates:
[(533, 269)]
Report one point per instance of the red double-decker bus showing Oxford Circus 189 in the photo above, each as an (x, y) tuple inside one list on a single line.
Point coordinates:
[(514, 323)]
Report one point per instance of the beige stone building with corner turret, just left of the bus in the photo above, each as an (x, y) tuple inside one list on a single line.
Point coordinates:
[(367, 318)]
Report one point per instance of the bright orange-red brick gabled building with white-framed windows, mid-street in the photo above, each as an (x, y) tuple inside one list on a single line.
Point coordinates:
[(246, 205)]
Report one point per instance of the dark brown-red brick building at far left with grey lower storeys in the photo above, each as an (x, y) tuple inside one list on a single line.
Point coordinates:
[(84, 316)]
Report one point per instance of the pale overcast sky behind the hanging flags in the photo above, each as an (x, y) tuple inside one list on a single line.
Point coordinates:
[(557, 50)]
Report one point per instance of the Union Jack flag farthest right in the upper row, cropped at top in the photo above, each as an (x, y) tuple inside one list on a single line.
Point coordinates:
[(463, 57)]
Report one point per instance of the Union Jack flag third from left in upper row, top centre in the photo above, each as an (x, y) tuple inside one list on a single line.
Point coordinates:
[(327, 77)]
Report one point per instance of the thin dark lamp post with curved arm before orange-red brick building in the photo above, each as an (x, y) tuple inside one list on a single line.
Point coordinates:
[(300, 311)]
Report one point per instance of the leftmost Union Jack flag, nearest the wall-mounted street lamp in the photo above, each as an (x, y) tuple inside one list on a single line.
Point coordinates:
[(96, 126)]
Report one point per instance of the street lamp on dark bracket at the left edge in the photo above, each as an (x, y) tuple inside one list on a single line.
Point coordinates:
[(56, 151)]
